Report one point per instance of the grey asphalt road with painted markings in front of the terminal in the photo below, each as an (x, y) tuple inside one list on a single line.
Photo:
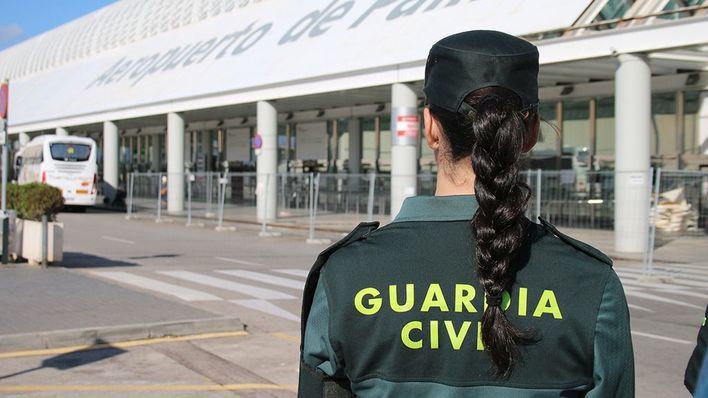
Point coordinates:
[(260, 280)]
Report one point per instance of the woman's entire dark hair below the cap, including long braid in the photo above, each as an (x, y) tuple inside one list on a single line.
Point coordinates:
[(493, 133)]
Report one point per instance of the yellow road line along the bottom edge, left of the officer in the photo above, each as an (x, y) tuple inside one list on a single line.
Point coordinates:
[(147, 388)]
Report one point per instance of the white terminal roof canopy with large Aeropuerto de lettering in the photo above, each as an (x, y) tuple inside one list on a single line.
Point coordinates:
[(270, 49)]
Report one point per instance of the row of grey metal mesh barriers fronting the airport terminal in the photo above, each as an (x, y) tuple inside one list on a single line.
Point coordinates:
[(677, 201)]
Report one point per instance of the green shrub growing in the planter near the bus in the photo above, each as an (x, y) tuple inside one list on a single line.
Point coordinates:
[(32, 201)]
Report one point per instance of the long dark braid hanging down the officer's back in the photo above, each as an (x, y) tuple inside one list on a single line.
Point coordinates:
[(498, 227)]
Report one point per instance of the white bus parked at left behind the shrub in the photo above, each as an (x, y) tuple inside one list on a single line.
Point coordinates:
[(66, 162)]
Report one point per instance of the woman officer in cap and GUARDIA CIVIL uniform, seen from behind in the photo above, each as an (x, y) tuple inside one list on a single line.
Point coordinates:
[(461, 295)]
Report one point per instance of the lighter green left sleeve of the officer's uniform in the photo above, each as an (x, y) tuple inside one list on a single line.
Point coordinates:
[(318, 351)]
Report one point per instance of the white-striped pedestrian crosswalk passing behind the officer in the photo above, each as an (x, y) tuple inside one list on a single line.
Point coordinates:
[(276, 291)]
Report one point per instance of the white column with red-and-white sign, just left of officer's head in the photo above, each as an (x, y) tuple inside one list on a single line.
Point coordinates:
[(405, 128)]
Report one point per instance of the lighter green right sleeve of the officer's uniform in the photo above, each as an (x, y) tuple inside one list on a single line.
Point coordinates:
[(614, 359)]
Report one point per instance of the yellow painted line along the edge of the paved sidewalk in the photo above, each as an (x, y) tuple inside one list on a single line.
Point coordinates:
[(121, 344)]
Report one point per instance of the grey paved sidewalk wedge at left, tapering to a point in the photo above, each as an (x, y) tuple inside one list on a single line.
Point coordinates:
[(54, 307)]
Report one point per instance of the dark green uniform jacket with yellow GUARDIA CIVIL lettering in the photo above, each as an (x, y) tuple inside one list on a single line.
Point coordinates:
[(396, 313)]
